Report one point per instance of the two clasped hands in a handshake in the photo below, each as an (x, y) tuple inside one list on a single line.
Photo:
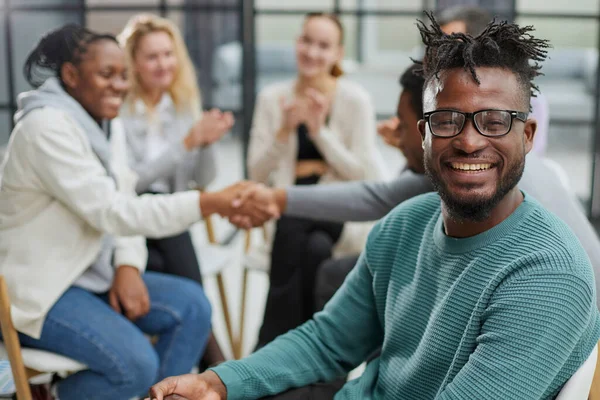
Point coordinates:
[(246, 204)]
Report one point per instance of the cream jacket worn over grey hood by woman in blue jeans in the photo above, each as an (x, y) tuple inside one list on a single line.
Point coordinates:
[(56, 202)]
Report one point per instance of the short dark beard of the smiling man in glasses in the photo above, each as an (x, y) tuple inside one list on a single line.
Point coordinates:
[(479, 209)]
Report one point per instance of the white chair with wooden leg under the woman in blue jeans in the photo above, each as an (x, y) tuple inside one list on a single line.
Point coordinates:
[(26, 363)]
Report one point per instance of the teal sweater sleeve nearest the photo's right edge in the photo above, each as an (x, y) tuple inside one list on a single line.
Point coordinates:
[(512, 358)]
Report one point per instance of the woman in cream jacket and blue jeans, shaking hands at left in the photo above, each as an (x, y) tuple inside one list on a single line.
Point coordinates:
[(72, 229)]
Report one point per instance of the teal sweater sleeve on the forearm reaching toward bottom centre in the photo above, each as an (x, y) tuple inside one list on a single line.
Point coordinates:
[(337, 340)]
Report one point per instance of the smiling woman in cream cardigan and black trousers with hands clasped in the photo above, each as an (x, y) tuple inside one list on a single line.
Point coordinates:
[(318, 128)]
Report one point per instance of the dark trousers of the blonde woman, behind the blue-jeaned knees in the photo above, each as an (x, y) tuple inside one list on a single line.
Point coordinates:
[(174, 255)]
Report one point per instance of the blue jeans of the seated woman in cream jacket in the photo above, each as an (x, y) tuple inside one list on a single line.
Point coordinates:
[(121, 360)]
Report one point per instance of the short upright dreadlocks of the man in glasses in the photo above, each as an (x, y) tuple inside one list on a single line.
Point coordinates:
[(501, 44)]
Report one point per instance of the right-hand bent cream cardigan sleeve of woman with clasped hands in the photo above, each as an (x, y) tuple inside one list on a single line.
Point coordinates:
[(351, 162)]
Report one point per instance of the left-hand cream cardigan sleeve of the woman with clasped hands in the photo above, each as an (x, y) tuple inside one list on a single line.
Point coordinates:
[(264, 150)]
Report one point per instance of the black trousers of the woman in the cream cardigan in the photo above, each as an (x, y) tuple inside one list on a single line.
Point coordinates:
[(299, 247)]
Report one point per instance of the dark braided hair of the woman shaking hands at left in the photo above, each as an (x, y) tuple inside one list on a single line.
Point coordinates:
[(66, 44)]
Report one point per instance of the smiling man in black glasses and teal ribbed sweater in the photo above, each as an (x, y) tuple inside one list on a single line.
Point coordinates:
[(473, 292)]
